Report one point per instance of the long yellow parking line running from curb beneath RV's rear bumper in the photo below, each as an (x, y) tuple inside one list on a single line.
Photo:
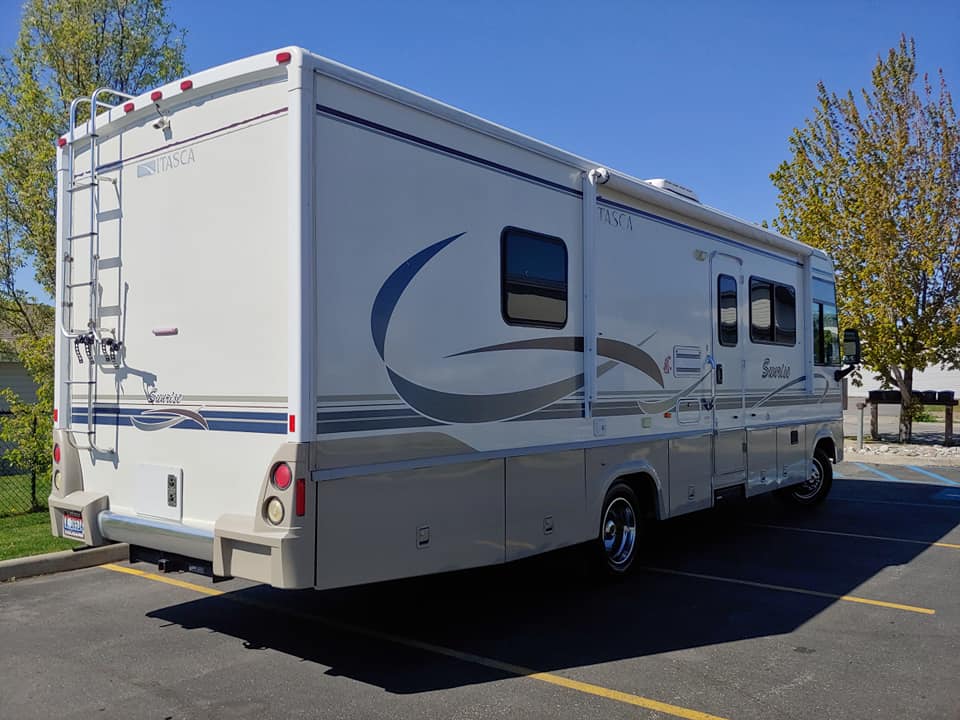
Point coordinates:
[(518, 670)]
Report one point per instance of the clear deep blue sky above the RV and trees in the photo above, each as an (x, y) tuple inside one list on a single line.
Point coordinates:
[(703, 93)]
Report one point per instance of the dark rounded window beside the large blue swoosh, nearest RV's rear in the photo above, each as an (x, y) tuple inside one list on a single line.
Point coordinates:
[(533, 279)]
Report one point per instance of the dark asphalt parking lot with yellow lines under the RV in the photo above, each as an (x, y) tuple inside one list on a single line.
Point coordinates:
[(850, 611)]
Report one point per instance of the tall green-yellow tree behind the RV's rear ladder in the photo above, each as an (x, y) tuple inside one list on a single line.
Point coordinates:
[(65, 49)]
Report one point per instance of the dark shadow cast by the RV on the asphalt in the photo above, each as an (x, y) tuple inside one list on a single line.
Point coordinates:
[(550, 613)]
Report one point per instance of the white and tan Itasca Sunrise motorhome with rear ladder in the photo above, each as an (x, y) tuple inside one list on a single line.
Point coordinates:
[(318, 330)]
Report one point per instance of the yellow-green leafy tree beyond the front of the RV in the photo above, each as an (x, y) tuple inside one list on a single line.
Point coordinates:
[(874, 179)]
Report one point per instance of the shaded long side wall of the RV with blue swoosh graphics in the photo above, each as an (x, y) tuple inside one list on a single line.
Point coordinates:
[(450, 409)]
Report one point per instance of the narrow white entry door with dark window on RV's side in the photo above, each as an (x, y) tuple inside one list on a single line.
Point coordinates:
[(729, 336)]
